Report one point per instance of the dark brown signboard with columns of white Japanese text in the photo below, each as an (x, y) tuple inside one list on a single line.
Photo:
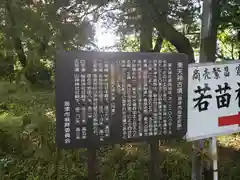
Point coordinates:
[(117, 97)]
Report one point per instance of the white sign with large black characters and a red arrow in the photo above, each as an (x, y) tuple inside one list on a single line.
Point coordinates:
[(213, 100)]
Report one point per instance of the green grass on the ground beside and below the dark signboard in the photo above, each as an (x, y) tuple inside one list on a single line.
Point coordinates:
[(28, 150)]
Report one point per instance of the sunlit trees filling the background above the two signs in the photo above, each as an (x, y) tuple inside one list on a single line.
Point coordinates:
[(32, 30)]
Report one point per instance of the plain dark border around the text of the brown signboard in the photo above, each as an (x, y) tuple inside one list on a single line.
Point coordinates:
[(176, 57)]
